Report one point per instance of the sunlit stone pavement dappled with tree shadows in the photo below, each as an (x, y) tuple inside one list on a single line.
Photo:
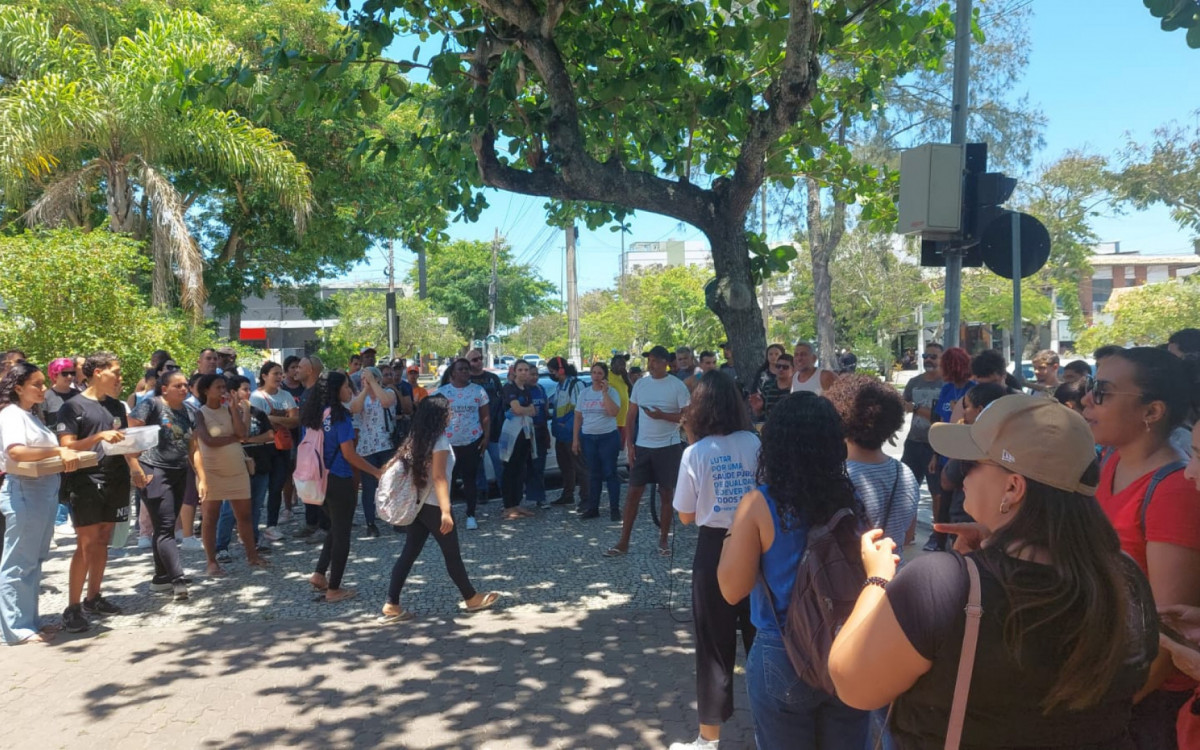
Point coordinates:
[(583, 651)]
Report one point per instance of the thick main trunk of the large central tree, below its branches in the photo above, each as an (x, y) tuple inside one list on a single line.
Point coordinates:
[(733, 298)]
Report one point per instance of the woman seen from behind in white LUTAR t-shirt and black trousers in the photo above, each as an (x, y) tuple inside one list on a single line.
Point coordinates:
[(718, 469)]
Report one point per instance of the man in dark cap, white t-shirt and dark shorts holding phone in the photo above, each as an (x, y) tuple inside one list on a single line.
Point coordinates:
[(658, 404)]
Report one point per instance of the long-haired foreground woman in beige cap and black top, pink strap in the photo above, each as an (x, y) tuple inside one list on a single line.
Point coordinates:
[(1063, 627)]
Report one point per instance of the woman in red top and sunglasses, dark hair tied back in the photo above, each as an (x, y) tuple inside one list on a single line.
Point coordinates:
[(1139, 398)]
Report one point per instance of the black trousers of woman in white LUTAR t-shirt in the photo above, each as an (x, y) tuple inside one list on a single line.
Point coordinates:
[(717, 631)]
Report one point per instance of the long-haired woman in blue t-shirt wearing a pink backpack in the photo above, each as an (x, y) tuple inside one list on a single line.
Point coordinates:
[(325, 411)]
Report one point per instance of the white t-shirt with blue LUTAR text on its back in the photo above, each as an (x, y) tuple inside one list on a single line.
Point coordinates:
[(715, 475)]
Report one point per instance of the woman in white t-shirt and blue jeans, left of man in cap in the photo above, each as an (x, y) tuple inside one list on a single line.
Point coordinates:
[(599, 441)]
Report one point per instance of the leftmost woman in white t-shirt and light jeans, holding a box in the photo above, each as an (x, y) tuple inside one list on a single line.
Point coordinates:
[(29, 503)]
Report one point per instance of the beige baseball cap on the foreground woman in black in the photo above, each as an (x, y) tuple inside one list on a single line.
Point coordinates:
[(1037, 439)]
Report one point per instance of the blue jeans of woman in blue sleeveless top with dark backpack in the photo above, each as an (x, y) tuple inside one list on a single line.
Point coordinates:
[(790, 713)]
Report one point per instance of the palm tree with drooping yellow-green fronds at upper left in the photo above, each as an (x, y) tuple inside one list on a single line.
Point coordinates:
[(77, 116)]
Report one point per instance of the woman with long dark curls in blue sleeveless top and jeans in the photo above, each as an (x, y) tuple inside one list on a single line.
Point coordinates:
[(802, 484)]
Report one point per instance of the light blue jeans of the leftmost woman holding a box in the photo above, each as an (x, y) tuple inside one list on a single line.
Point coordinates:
[(29, 506)]
